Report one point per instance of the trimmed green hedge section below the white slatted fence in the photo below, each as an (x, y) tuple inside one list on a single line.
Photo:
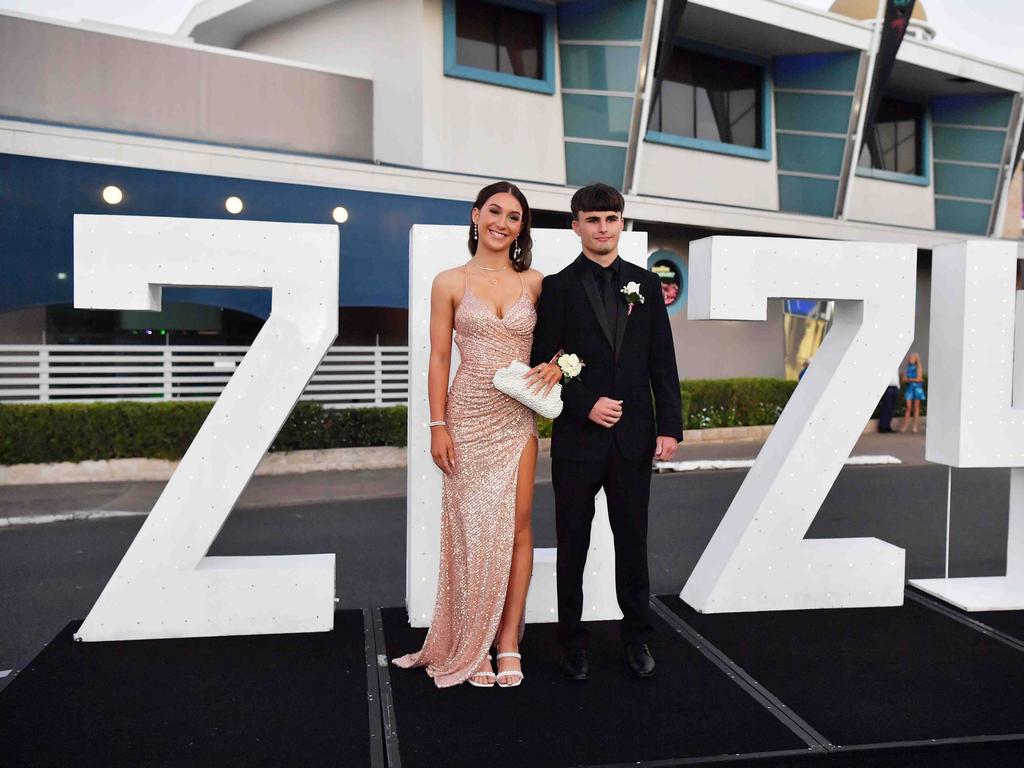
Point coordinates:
[(34, 434)]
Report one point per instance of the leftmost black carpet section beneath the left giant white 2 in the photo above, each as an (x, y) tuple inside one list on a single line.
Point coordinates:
[(261, 701)]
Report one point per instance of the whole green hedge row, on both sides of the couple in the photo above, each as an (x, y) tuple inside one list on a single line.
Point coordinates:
[(72, 432)]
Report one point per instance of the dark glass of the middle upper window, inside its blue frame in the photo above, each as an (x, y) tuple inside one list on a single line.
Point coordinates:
[(710, 98)]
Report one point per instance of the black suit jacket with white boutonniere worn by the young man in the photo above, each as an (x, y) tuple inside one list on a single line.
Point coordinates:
[(642, 362)]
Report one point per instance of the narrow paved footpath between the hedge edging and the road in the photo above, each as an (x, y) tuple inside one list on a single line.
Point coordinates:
[(314, 488)]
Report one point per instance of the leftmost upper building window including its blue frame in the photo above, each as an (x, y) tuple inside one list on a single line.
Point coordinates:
[(507, 42)]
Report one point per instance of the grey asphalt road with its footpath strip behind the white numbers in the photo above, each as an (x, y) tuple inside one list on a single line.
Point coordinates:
[(53, 574)]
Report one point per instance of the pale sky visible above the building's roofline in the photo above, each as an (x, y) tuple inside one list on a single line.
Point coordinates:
[(989, 29)]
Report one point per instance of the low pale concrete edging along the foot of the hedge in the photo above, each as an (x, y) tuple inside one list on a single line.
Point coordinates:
[(293, 462)]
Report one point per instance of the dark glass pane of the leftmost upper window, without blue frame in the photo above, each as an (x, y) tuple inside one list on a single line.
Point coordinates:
[(499, 39)]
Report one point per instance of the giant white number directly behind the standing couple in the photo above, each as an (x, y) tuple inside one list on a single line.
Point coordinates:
[(432, 250)]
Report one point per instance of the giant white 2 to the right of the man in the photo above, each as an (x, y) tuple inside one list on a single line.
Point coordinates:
[(758, 559)]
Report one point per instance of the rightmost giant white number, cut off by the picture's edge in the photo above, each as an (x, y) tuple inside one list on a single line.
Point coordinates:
[(976, 396)]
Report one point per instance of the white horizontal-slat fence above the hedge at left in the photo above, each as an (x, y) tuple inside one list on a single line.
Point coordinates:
[(349, 377)]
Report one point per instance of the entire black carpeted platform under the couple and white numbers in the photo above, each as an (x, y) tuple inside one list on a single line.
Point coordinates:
[(920, 686)]
